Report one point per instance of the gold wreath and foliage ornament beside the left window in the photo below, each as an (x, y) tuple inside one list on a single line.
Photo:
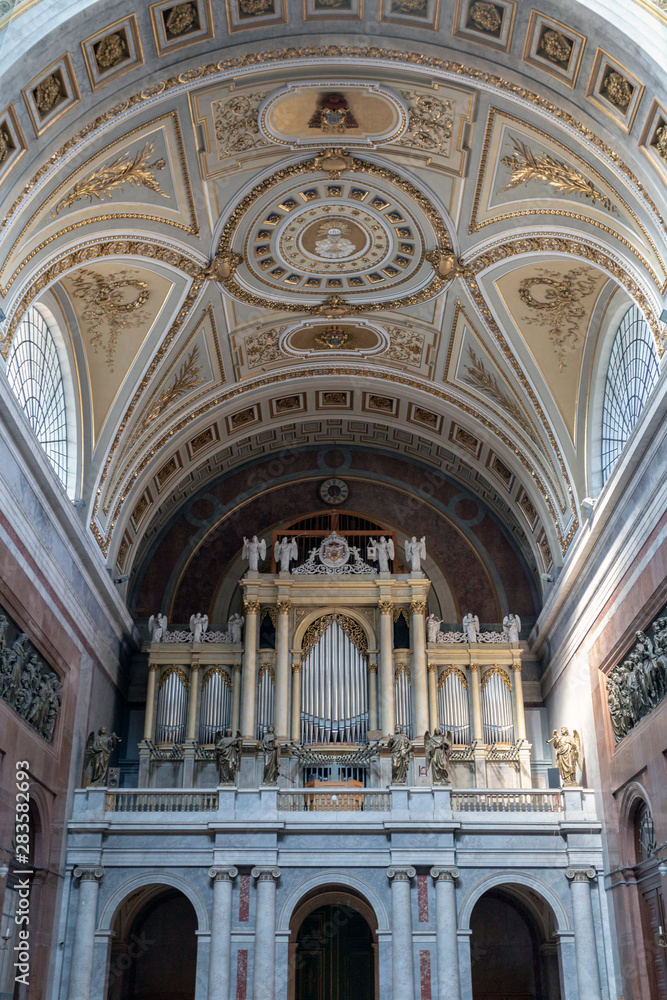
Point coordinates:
[(113, 303)]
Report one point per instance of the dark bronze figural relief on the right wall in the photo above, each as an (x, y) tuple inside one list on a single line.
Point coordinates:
[(637, 685)]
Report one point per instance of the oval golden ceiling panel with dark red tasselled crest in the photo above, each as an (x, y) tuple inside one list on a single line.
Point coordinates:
[(315, 114)]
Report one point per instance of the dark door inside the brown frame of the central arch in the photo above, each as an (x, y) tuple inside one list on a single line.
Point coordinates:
[(334, 956)]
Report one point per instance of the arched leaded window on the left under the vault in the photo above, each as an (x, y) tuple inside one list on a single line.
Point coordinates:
[(36, 377)]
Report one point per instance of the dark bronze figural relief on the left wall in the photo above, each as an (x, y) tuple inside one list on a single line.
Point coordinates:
[(27, 684)]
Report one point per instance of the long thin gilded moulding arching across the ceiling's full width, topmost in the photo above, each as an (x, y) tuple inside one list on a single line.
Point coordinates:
[(336, 53)]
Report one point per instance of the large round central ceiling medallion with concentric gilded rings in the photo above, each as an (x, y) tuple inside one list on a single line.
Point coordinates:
[(301, 237)]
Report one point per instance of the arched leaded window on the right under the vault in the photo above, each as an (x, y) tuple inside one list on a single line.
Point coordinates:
[(631, 375)]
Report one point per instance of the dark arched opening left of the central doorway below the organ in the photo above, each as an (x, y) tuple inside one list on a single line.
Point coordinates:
[(154, 951)]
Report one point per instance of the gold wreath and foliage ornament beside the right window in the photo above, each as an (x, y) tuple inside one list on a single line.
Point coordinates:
[(559, 308)]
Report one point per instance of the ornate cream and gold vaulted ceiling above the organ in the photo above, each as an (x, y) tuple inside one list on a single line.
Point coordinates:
[(404, 225)]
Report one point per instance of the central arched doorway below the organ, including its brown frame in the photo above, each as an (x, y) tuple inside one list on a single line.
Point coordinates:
[(333, 949)]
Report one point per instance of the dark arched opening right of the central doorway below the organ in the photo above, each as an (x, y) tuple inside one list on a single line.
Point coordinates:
[(513, 949)]
